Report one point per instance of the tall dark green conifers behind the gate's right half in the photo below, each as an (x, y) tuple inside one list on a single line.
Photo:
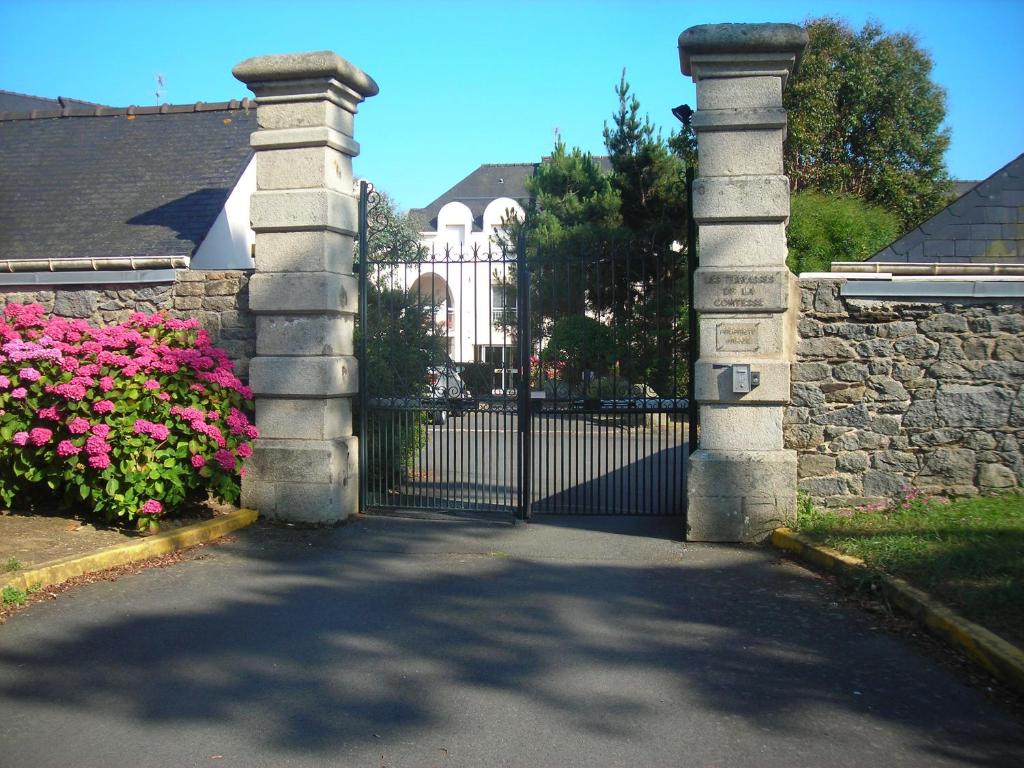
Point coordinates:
[(607, 245)]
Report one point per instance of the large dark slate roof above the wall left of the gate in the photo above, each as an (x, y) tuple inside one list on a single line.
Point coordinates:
[(115, 183)]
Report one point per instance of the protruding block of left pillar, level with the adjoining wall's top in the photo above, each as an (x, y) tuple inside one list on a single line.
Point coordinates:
[(304, 293)]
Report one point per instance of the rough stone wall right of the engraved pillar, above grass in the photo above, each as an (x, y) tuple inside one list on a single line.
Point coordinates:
[(889, 395)]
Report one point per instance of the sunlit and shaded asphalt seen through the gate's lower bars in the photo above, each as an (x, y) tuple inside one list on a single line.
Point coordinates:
[(581, 464)]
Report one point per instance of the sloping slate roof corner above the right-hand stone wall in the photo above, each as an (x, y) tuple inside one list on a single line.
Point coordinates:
[(986, 226)]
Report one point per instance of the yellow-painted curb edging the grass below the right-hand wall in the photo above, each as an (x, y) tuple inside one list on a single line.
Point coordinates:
[(1000, 658)]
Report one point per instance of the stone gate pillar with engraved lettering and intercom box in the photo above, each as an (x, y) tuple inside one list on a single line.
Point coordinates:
[(741, 481)]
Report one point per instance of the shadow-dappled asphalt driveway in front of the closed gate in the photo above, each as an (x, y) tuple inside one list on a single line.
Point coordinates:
[(402, 644)]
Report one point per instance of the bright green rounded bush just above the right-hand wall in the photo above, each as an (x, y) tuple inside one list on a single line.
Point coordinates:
[(836, 228)]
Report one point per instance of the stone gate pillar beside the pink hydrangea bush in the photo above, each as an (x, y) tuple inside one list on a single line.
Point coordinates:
[(305, 214)]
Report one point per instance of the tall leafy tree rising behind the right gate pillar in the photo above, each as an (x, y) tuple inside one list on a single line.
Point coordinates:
[(866, 119)]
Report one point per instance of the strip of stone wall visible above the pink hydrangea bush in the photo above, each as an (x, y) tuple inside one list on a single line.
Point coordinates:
[(219, 300)]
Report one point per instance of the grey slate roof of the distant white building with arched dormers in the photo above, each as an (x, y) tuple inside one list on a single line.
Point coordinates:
[(488, 183)]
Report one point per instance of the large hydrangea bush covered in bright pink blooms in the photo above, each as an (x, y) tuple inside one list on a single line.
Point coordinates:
[(129, 421)]
